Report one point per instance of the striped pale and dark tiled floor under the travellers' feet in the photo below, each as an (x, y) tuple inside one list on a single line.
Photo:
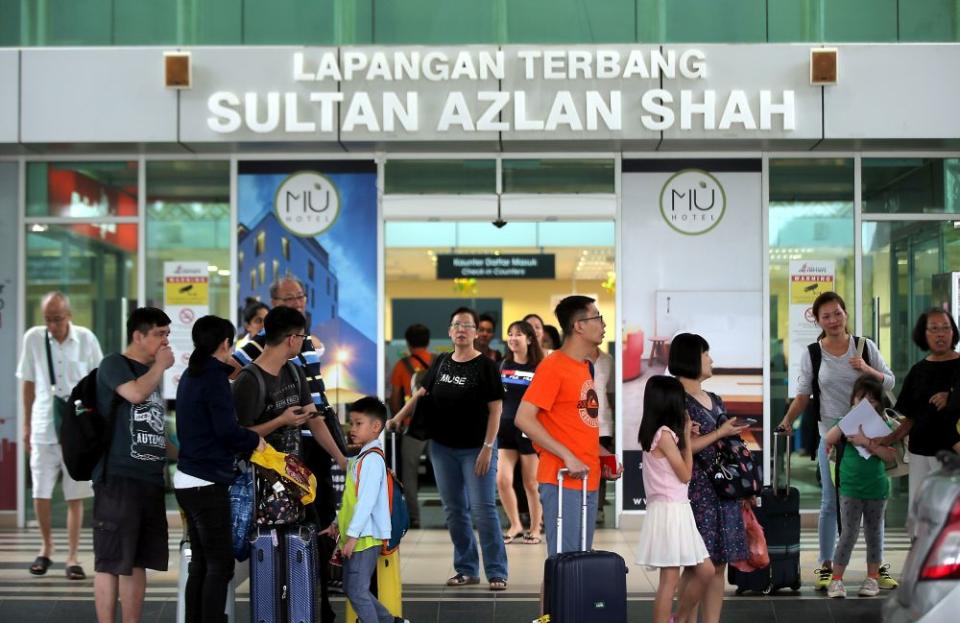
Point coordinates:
[(426, 563)]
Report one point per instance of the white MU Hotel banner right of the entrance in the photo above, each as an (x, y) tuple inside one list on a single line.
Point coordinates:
[(692, 266)]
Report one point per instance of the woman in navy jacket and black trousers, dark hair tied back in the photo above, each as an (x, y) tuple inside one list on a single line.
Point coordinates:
[(210, 440)]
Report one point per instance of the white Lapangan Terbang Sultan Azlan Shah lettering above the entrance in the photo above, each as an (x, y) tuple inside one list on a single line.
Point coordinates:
[(480, 90)]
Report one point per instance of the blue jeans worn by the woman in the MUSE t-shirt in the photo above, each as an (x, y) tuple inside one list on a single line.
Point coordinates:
[(465, 495)]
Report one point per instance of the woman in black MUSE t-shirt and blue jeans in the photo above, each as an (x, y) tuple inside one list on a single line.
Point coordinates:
[(468, 396)]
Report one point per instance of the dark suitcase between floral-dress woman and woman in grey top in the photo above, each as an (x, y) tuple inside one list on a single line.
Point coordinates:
[(779, 515)]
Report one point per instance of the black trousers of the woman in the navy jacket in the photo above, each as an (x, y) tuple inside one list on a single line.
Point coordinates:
[(211, 567)]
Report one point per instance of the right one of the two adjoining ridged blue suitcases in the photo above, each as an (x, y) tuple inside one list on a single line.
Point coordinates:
[(302, 572)]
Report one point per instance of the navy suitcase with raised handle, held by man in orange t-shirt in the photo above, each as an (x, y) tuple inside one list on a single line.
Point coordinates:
[(583, 587)]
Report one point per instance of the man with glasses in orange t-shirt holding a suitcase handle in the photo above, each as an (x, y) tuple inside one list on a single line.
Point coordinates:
[(559, 414)]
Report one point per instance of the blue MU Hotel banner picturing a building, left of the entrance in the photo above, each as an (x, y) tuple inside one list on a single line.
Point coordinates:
[(317, 221)]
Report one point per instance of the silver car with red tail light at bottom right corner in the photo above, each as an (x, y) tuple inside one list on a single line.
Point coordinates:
[(929, 589)]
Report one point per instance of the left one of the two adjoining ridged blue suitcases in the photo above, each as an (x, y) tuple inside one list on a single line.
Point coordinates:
[(267, 577)]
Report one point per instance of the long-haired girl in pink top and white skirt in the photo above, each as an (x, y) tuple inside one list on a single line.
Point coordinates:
[(669, 539)]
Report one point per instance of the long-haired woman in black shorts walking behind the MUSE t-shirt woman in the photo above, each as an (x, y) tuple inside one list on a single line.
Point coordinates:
[(516, 372)]
